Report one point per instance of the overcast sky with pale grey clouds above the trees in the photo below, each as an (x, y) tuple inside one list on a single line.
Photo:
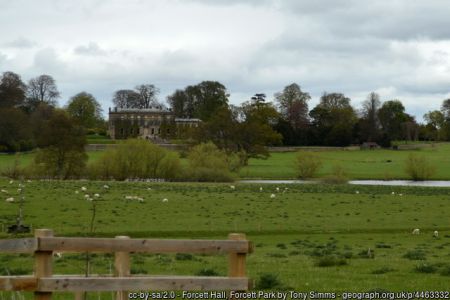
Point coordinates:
[(398, 48)]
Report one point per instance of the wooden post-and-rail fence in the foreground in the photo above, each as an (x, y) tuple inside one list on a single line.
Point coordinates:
[(43, 282)]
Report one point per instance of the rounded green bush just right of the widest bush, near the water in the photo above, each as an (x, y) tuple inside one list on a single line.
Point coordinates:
[(208, 163)]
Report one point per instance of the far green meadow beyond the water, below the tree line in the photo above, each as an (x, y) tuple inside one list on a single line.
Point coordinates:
[(359, 164)]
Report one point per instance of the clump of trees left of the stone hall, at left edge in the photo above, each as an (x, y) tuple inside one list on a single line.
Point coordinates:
[(29, 113)]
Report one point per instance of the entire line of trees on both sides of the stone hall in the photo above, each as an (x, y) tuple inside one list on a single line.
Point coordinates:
[(26, 110)]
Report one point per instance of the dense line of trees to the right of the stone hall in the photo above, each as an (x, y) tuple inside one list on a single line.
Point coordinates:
[(289, 121)]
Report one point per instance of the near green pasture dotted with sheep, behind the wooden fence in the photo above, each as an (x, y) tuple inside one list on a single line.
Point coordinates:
[(311, 237)]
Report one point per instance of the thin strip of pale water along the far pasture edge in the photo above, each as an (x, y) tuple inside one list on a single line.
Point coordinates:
[(428, 183)]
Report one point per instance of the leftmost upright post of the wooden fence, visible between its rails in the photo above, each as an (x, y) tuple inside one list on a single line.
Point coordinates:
[(43, 264)]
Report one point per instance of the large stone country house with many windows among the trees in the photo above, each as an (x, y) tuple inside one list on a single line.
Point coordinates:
[(146, 123)]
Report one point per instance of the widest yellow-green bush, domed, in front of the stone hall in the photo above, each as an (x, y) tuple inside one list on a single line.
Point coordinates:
[(136, 158)]
